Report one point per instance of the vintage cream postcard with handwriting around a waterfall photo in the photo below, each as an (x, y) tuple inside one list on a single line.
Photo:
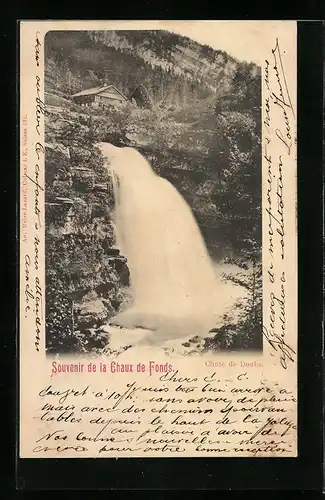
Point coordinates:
[(158, 239)]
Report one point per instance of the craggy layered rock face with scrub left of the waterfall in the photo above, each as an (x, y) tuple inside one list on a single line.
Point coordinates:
[(83, 269)]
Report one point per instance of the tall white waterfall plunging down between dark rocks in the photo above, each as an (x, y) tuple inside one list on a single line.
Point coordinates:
[(174, 285)]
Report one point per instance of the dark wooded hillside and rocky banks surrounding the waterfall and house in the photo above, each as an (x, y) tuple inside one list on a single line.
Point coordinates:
[(199, 129)]
